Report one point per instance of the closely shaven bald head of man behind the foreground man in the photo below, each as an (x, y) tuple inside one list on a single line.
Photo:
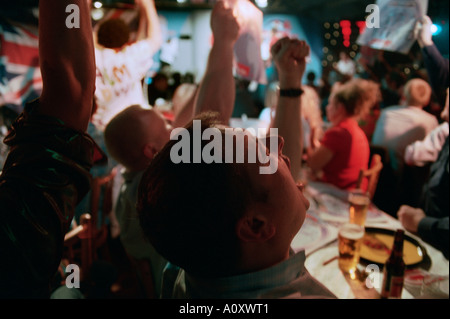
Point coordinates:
[(132, 133)]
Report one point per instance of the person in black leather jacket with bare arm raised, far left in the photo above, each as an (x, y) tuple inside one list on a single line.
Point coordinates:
[(47, 169)]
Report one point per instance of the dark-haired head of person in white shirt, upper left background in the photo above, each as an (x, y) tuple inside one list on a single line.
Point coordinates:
[(113, 33)]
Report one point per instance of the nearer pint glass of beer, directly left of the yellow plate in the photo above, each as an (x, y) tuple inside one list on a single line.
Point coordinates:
[(349, 237)]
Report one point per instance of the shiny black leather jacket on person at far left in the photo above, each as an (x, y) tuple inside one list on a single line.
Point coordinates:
[(44, 177)]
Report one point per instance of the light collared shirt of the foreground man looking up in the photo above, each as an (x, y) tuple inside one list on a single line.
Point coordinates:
[(288, 279)]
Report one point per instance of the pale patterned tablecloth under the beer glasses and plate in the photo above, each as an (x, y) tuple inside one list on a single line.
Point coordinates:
[(318, 236)]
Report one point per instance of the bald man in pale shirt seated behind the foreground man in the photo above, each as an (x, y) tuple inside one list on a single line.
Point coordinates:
[(129, 136)]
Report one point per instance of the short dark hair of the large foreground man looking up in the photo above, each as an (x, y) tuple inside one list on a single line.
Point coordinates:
[(189, 212)]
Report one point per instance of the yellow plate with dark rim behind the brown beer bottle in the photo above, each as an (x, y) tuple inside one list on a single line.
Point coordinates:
[(377, 243)]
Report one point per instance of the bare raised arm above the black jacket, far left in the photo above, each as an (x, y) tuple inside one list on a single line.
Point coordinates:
[(66, 54)]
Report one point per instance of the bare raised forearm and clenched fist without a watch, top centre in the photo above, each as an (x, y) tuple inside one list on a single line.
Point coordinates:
[(217, 89)]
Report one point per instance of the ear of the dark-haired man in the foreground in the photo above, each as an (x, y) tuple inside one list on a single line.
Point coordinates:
[(255, 228)]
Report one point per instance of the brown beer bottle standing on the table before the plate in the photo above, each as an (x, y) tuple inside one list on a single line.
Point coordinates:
[(394, 269)]
